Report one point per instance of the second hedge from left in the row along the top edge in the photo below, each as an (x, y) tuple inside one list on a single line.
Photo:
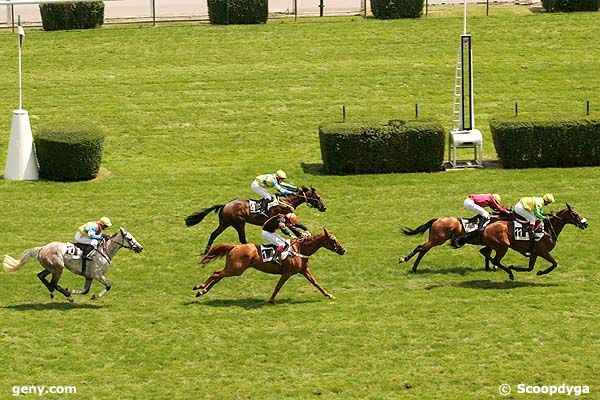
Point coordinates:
[(224, 12)]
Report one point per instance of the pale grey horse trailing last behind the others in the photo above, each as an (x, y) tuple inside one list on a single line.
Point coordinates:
[(53, 258)]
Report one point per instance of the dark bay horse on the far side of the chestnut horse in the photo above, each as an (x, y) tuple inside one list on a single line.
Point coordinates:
[(237, 213)]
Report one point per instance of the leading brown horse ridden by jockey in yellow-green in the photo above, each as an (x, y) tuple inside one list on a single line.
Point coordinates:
[(499, 237)]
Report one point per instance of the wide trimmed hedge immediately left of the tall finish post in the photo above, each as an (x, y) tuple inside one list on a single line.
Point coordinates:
[(399, 146)]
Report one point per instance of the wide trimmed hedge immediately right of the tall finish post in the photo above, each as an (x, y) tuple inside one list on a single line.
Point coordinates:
[(530, 143)]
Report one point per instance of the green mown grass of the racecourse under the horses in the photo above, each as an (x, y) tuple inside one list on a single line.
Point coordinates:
[(193, 112)]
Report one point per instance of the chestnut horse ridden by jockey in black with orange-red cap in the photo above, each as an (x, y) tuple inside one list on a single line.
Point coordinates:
[(244, 256)]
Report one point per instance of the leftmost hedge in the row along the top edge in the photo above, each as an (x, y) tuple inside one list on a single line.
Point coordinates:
[(64, 16)]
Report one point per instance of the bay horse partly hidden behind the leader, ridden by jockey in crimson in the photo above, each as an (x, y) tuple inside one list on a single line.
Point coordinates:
[(440, 230)]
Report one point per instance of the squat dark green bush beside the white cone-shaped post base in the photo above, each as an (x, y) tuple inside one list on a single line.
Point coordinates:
[(69, 154)]
